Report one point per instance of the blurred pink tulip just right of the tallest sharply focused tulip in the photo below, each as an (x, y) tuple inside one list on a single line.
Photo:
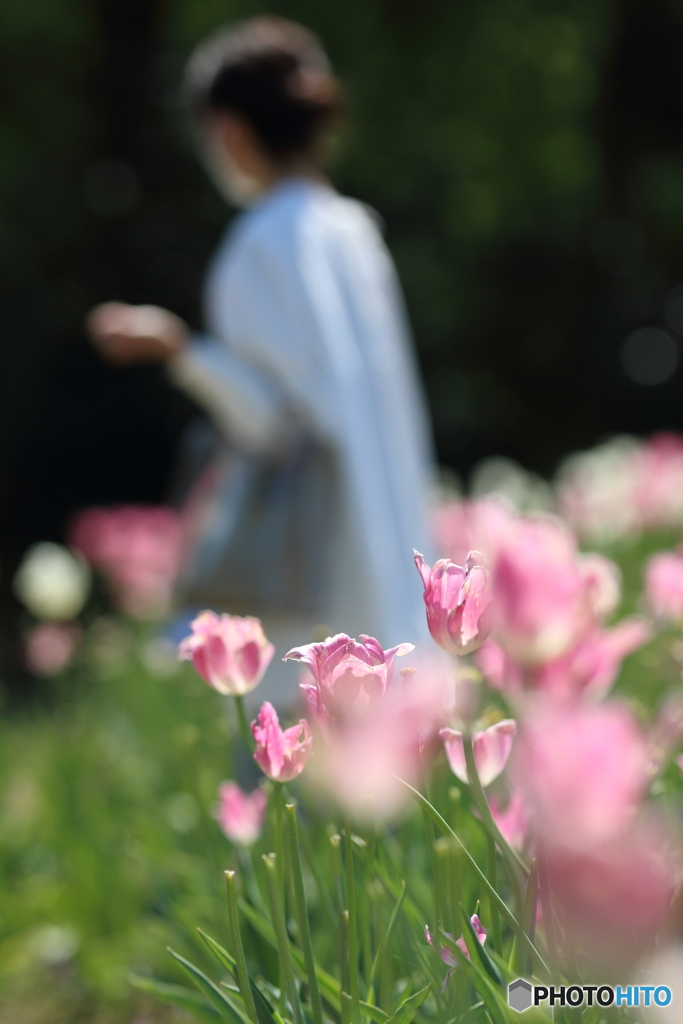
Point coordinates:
[(539, 591)]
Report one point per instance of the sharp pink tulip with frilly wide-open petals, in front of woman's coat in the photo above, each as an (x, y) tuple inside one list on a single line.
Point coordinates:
[(350, 677)]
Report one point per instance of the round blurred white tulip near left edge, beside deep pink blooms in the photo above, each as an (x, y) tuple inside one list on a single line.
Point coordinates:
[(52, 582)]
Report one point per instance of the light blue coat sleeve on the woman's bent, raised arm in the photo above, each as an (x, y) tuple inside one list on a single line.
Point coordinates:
[(265, 373)]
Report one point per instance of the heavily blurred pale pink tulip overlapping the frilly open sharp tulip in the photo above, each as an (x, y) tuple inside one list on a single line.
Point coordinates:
[(367, 760)]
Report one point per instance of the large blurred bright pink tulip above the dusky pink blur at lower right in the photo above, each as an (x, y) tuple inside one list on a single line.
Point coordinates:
[(582, 770)]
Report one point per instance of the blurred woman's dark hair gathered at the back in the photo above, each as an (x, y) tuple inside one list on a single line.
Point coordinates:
[(275, 74)]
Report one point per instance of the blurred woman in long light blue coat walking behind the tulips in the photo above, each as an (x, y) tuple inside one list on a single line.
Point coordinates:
[(308, 368)]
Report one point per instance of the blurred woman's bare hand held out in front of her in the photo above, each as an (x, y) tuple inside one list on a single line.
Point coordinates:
[(125, 334)]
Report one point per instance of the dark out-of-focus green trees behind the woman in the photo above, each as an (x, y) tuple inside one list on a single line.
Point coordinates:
[(527, 157)]
